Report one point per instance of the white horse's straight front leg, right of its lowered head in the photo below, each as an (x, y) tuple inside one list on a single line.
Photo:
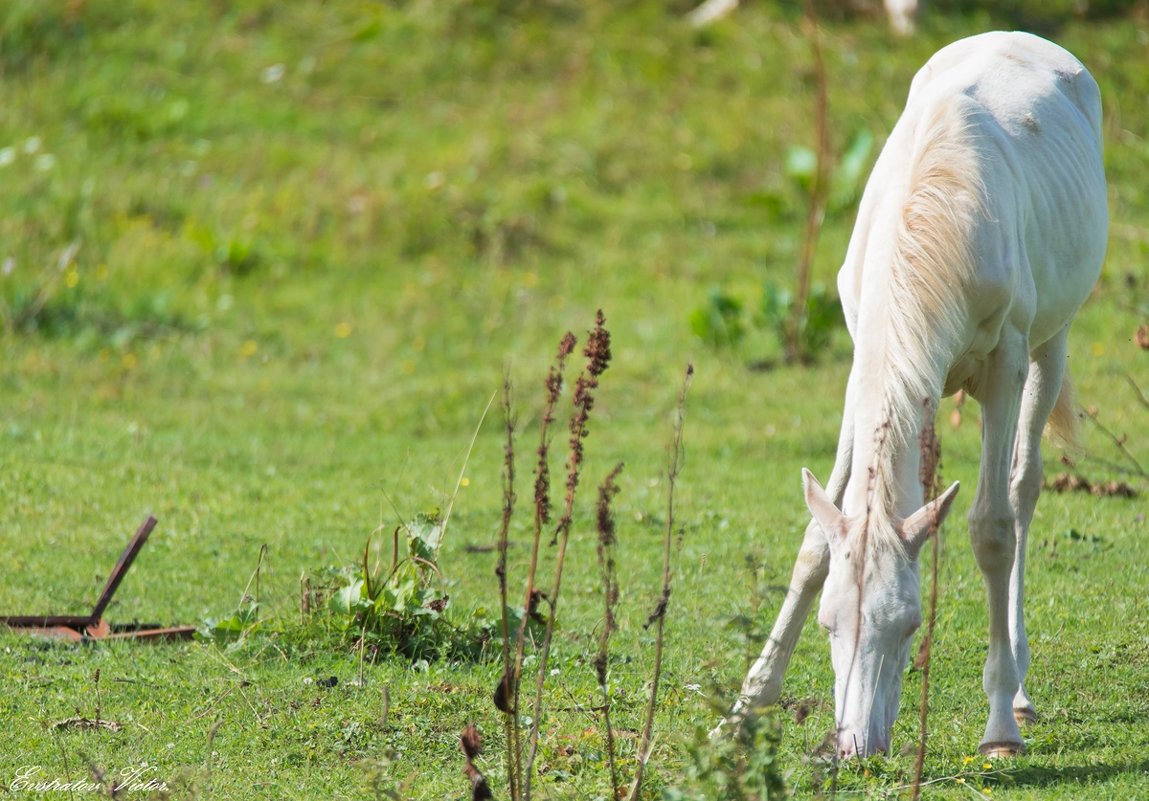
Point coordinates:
[(993, 535)]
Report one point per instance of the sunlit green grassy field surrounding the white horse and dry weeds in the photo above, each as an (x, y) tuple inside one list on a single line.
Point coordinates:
[(263, 268)]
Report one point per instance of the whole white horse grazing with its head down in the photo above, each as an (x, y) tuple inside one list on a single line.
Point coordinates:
[(980, 235)]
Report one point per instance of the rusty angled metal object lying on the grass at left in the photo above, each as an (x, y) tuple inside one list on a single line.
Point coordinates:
[(92, 627)]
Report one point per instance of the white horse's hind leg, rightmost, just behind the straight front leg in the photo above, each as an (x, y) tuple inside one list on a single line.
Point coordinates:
[(1044, 389)]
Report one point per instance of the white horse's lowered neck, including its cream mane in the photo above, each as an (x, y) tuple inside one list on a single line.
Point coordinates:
[(912, 309)]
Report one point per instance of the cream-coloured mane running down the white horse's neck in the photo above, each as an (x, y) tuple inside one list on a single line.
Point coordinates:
[(931, 267)]
